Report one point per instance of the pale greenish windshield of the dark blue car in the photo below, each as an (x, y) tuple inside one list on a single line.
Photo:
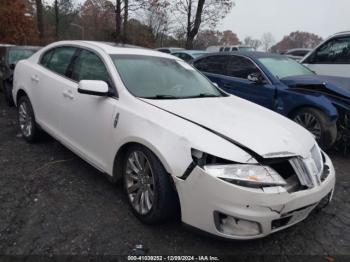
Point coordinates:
[(282, 67)]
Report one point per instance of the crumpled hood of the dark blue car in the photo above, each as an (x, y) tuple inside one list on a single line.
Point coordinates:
[(329, 85)]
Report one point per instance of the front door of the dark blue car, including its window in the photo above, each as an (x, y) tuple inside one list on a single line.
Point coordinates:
[(236, 82)]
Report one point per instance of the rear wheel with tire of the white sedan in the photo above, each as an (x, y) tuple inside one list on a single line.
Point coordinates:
[(26, 120)]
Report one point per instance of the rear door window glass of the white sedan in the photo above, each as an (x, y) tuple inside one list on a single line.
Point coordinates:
[(60, 59)]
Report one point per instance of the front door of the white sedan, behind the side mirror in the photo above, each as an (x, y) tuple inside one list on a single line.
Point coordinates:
[(88, 120)]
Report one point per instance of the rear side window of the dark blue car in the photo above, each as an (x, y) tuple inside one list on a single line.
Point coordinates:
[(213, 64)]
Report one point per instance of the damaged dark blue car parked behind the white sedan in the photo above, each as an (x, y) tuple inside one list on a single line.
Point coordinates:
[(319, 103)]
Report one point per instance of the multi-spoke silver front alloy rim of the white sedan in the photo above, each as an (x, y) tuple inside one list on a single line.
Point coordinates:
[(139, 181)]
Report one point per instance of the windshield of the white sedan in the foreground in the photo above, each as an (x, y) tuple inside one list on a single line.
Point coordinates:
[(162, 78)]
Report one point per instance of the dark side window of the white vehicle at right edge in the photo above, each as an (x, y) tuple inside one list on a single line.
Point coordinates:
[(335, 51)]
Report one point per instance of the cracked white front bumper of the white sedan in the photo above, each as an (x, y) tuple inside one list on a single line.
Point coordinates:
[(203, 196)]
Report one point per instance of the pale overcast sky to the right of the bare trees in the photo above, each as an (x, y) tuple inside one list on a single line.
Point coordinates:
[(280, 17)]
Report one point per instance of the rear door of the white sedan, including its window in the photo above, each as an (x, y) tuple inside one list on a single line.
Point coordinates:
[(48, 82)]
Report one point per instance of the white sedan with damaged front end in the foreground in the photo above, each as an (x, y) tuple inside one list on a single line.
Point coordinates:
[(178, 143)]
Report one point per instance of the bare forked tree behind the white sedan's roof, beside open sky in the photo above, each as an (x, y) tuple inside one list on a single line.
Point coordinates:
[(198, 13)]
